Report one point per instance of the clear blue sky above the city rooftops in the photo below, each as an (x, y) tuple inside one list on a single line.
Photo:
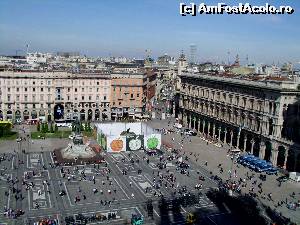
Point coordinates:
[(128, 28)]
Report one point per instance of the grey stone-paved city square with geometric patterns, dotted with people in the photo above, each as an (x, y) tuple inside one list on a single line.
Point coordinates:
[(60, 192)]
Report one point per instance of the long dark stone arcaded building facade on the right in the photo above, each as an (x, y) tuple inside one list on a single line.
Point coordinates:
[(251, 116)]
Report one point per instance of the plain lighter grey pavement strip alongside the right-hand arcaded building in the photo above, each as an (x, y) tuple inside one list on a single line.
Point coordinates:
[(214, 156)]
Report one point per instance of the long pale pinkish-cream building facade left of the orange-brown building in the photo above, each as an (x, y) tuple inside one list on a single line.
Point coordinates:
[(54, 95)]
